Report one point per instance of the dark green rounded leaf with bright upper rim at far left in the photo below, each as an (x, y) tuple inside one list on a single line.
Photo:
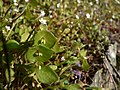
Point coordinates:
[(12, 44)]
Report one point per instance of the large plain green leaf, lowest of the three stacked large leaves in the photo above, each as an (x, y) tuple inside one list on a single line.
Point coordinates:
[(46, 75)]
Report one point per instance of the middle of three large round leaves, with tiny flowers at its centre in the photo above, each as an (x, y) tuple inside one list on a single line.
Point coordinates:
[(39, 53)]
